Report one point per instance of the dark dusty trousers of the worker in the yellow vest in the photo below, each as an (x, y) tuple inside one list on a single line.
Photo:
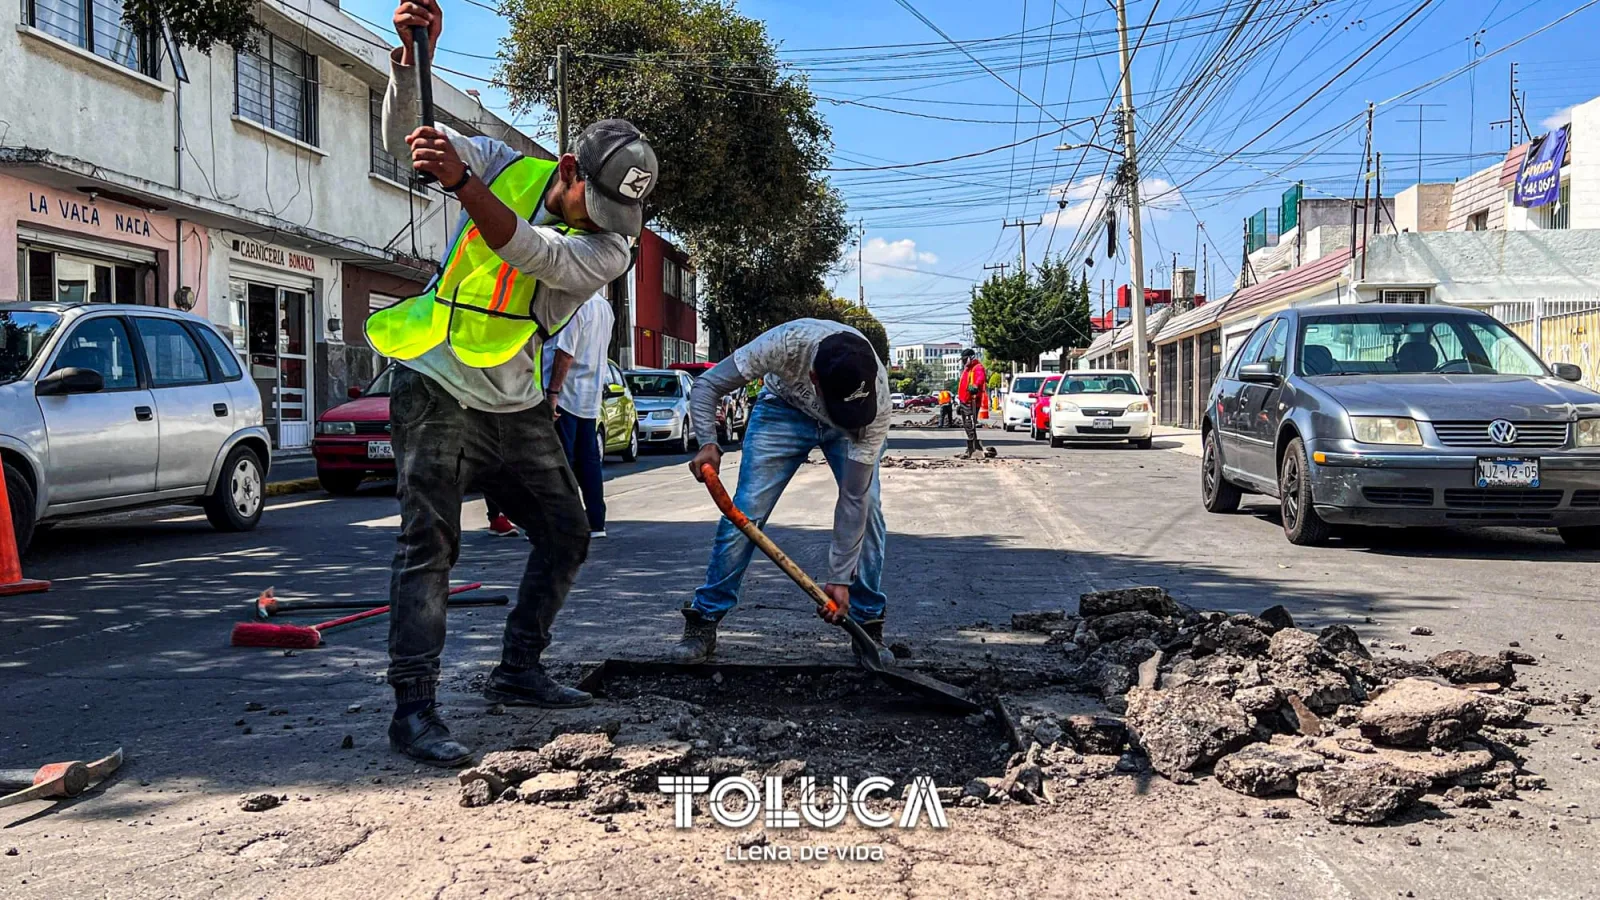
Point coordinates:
[(442, 449)]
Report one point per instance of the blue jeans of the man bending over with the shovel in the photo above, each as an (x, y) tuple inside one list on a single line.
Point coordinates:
[(777, 444)]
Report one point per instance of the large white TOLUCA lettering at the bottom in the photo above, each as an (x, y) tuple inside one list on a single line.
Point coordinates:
[(820, 810)]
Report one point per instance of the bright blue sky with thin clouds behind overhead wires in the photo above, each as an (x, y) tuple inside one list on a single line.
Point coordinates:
[(1201, 155)]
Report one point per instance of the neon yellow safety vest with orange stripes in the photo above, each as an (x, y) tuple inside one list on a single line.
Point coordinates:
[(481, 305)]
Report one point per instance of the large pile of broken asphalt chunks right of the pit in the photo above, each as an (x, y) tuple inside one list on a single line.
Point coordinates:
[(1270, 709)]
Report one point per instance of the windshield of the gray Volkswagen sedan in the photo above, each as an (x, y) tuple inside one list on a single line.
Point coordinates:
[(1412, 342)]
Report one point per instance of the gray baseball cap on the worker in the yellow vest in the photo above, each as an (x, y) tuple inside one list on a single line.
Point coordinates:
[(620, 171)]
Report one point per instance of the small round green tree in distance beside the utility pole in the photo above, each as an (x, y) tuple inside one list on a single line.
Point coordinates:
[(1018, 318)]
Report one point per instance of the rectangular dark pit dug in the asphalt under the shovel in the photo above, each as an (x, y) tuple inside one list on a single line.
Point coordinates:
[(838, 723)]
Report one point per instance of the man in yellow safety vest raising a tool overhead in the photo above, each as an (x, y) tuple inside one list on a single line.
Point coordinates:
[(535, 241)]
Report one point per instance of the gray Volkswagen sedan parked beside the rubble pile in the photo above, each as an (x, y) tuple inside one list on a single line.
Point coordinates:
[(1402, 416)]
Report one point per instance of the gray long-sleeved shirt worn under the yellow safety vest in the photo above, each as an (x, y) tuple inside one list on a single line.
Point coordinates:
[(570, 268)]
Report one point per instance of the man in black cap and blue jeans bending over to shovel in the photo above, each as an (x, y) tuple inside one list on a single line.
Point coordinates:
[(823, 388)]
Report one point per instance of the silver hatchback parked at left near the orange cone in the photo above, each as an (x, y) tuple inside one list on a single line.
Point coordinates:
[(110, 408)]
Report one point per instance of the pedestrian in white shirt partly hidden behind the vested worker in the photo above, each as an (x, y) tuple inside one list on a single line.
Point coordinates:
[(577, 387)]
